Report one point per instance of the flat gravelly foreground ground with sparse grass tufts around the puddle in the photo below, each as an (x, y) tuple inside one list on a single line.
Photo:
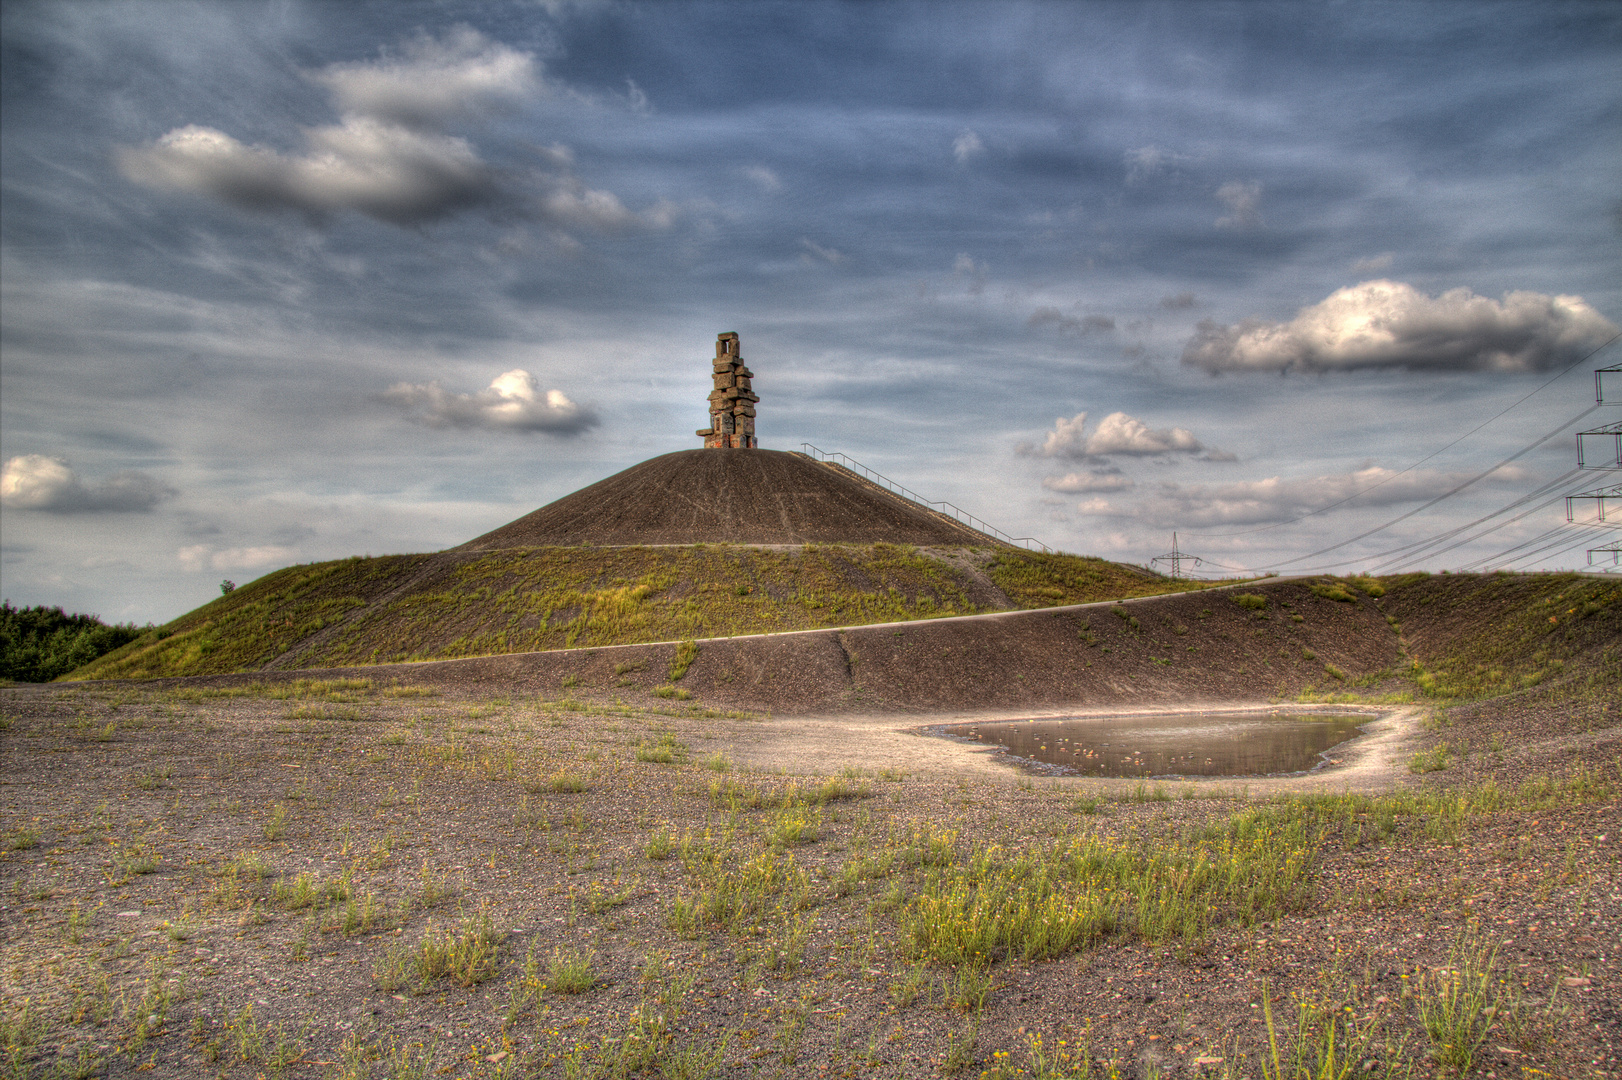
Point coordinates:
[(364, 876)]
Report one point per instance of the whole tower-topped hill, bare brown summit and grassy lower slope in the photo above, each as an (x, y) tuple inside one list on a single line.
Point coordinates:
[(697, 544)]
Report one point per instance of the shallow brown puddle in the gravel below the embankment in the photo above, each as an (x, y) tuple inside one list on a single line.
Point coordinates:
[(1169, 745)]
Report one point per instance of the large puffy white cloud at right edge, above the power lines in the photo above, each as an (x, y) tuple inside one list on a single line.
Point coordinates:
[(1392, 325)]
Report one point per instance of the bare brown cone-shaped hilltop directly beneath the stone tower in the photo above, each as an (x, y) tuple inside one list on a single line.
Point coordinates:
[(739, 497)]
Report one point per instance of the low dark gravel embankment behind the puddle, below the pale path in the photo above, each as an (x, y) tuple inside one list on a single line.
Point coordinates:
[(1467, 641)]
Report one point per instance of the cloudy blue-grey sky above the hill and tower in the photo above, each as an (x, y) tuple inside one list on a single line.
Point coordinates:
[(285, 283)]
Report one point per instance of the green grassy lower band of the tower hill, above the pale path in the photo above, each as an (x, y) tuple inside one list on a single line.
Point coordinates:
[(465, 604)]
